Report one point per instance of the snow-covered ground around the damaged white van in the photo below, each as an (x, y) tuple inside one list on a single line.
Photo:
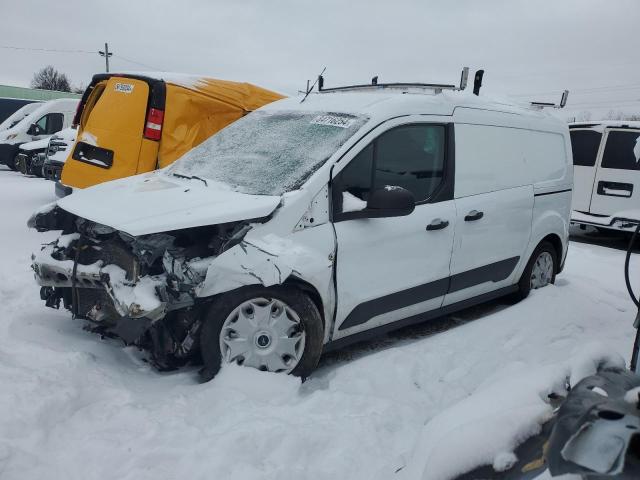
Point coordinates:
[(413, 405)]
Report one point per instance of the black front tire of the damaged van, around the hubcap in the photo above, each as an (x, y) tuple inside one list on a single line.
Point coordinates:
[(299, 304)]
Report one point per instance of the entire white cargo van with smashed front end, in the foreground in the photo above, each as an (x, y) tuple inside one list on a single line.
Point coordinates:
[(310, 224)]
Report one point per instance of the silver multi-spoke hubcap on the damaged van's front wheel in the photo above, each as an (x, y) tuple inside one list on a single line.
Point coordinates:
[(263, 333)]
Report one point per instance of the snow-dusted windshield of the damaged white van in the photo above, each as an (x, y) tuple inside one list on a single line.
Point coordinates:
[(269, 153)]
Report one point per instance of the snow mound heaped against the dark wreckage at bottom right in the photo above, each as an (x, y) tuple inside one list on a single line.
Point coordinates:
[(499, 416)]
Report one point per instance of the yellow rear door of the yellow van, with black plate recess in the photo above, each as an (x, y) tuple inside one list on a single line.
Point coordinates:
[(110, 137)]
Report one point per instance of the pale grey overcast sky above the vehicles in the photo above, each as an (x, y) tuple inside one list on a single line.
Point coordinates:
[(530, 49)]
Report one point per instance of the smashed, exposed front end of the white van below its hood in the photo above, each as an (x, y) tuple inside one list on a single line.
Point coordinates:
[(140, 289)]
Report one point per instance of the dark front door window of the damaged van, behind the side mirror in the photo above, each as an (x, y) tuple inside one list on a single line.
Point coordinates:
[(410, 156)]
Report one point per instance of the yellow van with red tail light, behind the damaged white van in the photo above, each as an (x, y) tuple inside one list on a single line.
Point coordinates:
[(129, 124)]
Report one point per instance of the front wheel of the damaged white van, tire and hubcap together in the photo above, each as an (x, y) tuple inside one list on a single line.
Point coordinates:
[(276, 329)]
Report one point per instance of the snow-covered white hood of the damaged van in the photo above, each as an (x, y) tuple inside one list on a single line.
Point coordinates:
[(156, 202)]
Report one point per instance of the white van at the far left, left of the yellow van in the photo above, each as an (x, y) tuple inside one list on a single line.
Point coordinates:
[(50, 117)]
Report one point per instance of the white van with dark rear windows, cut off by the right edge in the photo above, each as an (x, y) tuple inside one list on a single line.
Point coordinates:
[(606, 159)]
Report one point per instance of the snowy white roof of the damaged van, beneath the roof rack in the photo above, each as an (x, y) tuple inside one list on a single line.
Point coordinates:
[(390, 102)]
